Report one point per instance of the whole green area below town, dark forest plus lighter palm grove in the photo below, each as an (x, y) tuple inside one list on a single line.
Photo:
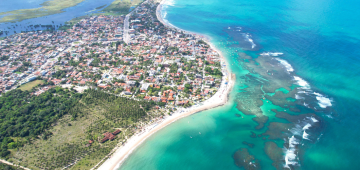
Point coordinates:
[(54, 129)]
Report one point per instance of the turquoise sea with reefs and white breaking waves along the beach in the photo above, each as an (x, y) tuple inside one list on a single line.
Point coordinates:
[(319, 39)]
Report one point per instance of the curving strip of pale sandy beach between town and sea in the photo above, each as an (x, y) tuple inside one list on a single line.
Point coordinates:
[(120, 153)]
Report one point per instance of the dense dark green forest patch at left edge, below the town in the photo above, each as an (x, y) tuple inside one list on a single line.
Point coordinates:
[(27, 116)]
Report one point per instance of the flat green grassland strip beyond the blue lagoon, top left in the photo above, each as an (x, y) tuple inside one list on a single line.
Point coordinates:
[(48, 8)]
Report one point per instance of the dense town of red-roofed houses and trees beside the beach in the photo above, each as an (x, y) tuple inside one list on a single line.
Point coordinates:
[(134, 56)]
